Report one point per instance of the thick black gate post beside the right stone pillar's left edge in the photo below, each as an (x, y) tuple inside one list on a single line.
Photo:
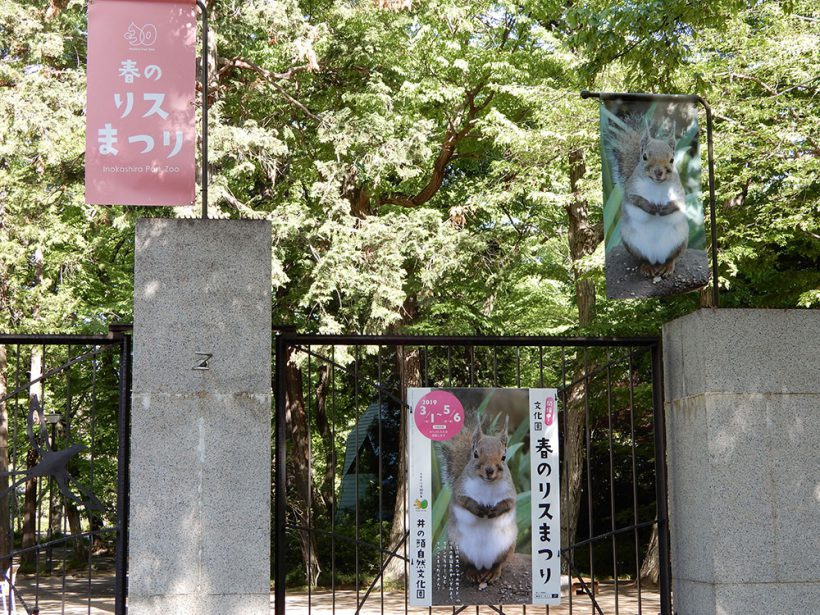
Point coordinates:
[(660, 480)]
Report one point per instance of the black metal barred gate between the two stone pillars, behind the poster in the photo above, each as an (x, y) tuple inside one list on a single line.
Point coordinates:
[(339, 489)]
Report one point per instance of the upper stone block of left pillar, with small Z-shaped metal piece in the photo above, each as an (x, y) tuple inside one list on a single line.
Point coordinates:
[(202, 286)]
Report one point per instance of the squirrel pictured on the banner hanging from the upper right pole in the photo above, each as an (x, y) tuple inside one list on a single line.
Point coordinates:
[(654, 229)]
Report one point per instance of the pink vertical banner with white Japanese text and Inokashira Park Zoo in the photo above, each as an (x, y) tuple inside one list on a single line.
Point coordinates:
[(140, 134)]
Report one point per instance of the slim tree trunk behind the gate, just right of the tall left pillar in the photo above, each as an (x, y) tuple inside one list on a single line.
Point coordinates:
[(299, 462)]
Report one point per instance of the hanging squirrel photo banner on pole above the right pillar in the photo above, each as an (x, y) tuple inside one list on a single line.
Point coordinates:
[(653, 214)]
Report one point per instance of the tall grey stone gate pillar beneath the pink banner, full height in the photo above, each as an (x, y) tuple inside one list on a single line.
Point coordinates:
[(199, 526)]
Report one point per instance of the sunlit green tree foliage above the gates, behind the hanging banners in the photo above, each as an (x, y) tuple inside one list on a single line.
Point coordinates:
[(428, 166)]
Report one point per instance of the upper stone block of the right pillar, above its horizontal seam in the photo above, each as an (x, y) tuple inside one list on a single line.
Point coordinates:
[(745, 351)]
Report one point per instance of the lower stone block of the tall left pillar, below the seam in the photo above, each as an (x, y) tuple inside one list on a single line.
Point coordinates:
[(200, 494)]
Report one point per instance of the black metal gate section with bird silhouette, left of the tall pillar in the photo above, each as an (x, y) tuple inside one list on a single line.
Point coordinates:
[(64, 416)]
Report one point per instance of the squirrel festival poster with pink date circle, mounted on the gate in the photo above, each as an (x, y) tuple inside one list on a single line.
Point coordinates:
[(484, 522)]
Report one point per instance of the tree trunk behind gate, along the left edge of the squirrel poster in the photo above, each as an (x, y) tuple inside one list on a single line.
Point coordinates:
[(408, 366)]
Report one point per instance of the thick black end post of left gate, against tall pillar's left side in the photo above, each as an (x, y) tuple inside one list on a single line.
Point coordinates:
[(123, 459)]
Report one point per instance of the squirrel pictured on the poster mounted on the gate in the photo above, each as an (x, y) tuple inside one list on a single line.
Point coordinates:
[(482, 523)]
